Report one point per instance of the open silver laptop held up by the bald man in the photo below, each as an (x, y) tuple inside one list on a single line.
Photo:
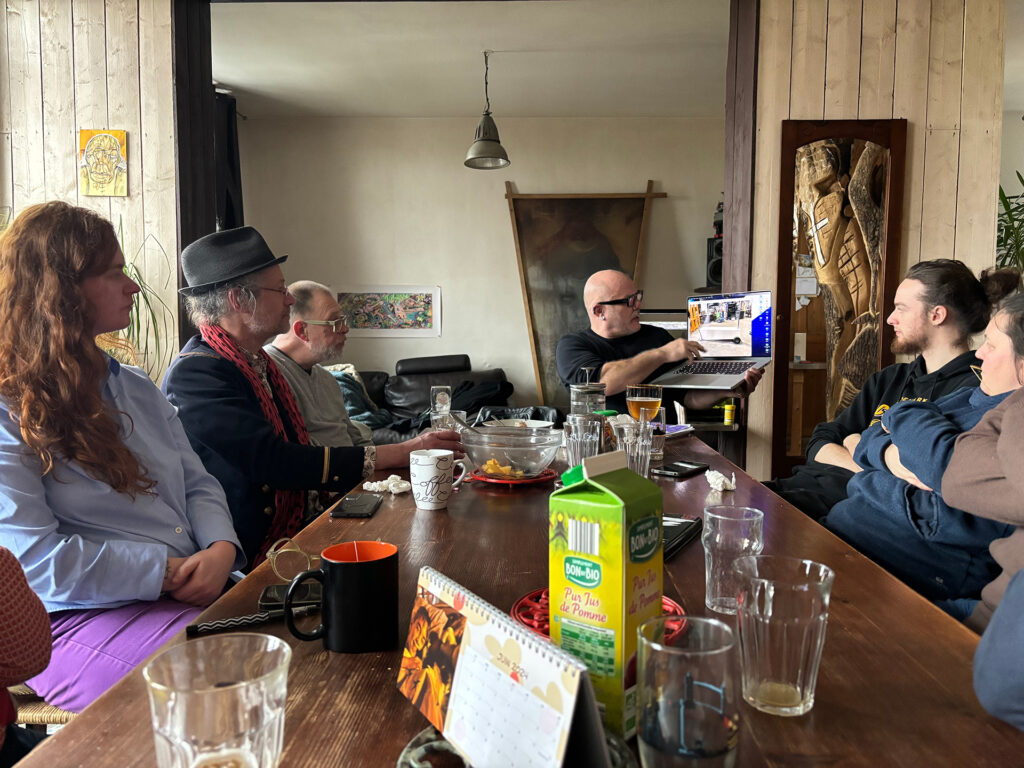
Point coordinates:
[(736, 331)]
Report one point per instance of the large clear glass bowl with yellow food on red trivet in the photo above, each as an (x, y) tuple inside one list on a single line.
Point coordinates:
[(511, 452)]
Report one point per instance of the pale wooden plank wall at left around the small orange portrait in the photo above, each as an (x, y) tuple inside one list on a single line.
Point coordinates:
[(94, 64)]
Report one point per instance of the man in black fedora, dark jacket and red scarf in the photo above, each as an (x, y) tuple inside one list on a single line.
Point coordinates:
[(237, 408)]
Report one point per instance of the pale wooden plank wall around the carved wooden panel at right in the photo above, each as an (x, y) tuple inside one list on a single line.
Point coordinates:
[(936, 63)]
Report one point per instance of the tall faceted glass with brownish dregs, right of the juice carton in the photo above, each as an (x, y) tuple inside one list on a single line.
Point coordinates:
[(782, 619)]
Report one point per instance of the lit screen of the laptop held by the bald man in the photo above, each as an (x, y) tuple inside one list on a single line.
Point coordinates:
[(736, 325)]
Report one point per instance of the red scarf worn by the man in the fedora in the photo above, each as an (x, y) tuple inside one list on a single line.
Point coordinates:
[(289, 505)]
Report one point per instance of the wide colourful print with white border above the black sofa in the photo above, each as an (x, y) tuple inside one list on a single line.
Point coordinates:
[(393, 311)]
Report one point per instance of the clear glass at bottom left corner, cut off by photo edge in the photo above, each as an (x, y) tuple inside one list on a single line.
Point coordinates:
[(220, 701)]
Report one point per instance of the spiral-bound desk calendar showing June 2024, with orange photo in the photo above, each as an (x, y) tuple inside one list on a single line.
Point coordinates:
[(501, 695)]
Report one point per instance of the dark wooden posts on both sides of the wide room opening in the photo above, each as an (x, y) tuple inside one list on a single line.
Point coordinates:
[(195, 117)]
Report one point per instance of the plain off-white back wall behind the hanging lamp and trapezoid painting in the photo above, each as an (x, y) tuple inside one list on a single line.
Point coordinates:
[(389, 201)]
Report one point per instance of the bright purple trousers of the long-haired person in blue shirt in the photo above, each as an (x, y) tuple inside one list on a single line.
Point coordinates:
[(93, 650)]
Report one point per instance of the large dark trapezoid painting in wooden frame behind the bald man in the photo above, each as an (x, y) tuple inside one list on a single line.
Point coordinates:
[(561, 241)]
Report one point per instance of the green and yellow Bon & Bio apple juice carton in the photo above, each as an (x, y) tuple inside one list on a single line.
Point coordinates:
[(605, 566)]
